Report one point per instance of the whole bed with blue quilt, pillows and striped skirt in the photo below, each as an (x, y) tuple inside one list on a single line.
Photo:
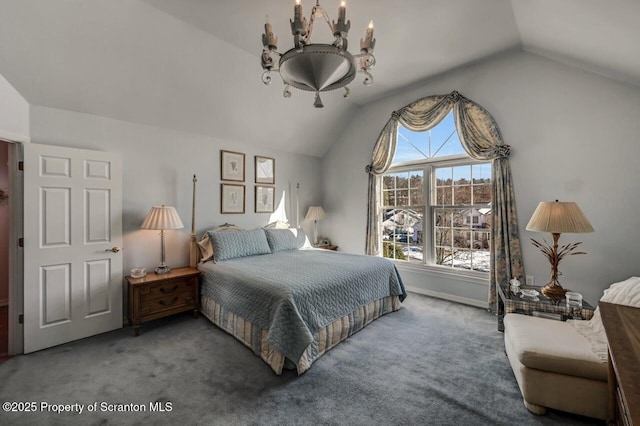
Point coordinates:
[(288, 302)]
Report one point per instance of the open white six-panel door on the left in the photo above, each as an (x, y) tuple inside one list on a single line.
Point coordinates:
[(72, 220)]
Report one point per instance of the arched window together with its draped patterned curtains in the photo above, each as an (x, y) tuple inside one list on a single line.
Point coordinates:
[(442, 190)]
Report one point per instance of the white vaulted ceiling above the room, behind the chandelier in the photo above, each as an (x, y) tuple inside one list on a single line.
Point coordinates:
[(193, 65)]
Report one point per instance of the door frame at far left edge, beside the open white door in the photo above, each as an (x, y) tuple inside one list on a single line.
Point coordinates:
[(16, 227)]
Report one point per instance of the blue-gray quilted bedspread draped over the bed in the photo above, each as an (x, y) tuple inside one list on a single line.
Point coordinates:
[(293, 294)]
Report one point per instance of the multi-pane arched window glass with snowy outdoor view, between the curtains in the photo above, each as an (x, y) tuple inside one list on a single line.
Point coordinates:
[(436, 201)]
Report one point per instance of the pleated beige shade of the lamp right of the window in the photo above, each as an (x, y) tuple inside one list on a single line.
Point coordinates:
[(559, 217)]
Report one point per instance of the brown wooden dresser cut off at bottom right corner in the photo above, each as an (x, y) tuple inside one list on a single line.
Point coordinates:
[(622, 326)]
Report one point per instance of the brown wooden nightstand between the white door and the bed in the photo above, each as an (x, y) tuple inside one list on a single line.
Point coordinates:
[(155, 296)]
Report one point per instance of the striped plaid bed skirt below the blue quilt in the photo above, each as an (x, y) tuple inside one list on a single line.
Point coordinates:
[(326, 338)]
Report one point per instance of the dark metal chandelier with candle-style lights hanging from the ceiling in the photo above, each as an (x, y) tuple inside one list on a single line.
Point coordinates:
[(317, 67)]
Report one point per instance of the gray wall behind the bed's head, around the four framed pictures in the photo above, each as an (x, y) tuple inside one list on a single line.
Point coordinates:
[(159, 165)]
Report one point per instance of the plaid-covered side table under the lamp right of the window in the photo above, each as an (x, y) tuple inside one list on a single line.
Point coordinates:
[(512, 303)]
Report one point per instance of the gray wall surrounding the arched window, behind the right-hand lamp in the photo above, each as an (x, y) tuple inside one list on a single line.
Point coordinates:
[(574, 137)]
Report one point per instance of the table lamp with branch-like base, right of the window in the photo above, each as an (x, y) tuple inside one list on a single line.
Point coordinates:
[(557, 217)]
